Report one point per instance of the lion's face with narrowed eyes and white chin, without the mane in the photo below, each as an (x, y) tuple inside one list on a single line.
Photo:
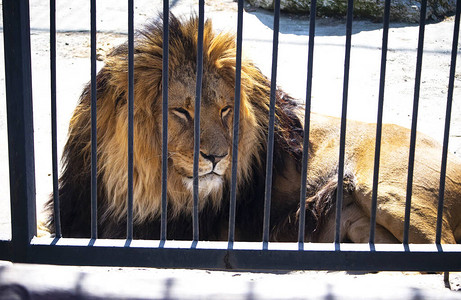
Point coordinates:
[(216, 115)]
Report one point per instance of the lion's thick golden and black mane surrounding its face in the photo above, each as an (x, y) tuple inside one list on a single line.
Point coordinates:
[(112, 126)]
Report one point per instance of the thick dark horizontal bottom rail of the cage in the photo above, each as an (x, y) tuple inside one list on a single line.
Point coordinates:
[(279, 256)]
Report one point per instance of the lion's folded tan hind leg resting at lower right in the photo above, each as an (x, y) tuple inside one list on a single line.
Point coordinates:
[(390, 215)]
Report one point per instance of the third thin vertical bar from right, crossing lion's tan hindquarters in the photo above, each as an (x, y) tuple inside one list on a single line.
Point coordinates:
[(379, 122)]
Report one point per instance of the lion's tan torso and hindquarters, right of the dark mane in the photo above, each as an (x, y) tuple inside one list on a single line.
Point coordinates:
[(392, 187)]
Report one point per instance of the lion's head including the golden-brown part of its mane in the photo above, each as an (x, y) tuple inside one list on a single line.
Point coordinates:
[(216, 122)]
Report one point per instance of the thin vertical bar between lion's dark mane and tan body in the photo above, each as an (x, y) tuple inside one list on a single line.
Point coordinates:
[(307, 115)]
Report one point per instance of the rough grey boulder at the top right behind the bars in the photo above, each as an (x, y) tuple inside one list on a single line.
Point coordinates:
[(401, 10)]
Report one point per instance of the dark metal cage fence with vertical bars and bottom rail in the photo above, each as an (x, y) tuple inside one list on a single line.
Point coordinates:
[(25, 247)]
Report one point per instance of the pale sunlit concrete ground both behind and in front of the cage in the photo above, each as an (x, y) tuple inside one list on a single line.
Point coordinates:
[(73, 72)]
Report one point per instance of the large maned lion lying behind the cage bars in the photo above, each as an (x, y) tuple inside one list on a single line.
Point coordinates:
[(214, 169)]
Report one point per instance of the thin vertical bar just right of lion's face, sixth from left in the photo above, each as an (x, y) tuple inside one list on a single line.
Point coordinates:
[(235, 136)]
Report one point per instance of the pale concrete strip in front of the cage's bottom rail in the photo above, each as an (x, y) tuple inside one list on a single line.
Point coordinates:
[(57, 282)]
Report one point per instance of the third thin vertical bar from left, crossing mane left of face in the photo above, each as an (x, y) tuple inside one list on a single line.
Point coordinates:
[(129, 230)]
